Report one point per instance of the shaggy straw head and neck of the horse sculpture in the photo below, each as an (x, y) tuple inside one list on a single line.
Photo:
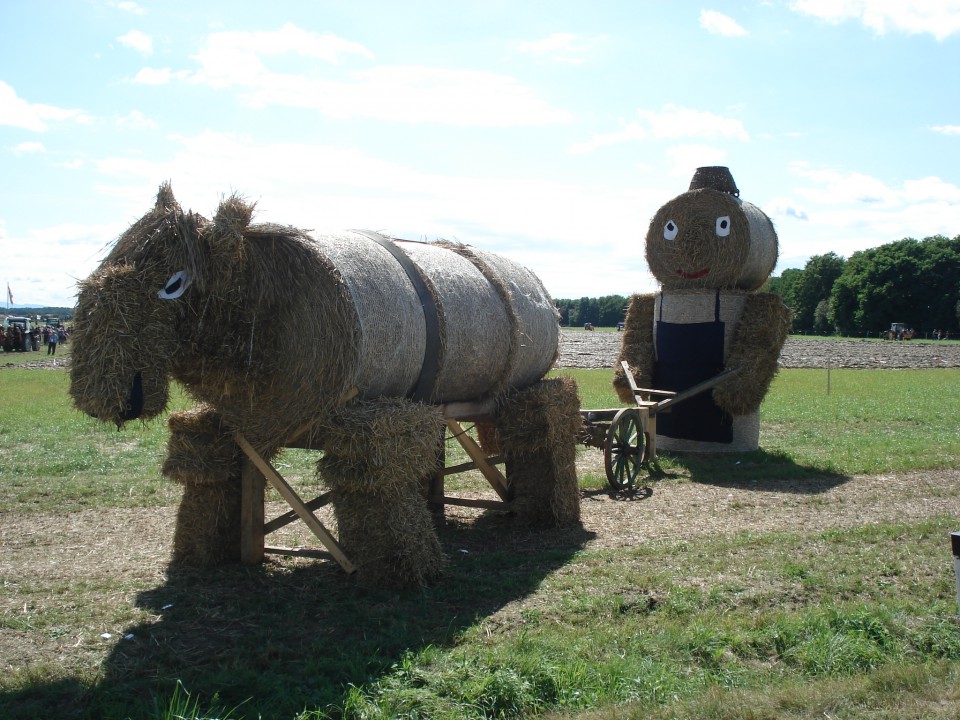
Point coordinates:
[(215, 304)]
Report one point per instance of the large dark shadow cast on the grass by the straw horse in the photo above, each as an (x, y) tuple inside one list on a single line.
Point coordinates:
[(293, 634)]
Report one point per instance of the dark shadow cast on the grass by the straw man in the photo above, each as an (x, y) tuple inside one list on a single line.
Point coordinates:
[(770, 471)]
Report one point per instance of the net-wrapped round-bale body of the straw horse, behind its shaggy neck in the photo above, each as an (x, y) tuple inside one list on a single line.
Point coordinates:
[(496, 324)]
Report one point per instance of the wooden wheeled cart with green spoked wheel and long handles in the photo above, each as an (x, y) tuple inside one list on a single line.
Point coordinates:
[(627, 436)]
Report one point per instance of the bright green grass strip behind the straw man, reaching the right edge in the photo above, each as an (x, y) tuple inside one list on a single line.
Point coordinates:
[(849, 422)]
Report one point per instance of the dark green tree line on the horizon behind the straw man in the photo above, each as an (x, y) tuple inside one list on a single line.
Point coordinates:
[(916, 282)]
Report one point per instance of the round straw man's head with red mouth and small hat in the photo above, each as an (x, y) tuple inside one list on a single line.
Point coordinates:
[(709, 238)]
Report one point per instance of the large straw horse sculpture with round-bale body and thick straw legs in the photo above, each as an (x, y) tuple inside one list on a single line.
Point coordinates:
[(344, 339)]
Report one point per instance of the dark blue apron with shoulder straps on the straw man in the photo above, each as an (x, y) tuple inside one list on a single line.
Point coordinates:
[(689, 353)]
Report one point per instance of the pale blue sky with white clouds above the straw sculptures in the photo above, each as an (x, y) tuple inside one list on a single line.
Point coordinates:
[(547, 131)]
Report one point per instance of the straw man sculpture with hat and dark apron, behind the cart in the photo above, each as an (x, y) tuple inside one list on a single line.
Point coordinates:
[(711, 252)]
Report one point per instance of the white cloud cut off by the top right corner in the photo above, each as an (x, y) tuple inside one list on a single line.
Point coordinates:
[(940, 18)]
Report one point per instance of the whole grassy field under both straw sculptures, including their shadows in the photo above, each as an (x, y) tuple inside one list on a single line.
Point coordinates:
[(852, 619)]
